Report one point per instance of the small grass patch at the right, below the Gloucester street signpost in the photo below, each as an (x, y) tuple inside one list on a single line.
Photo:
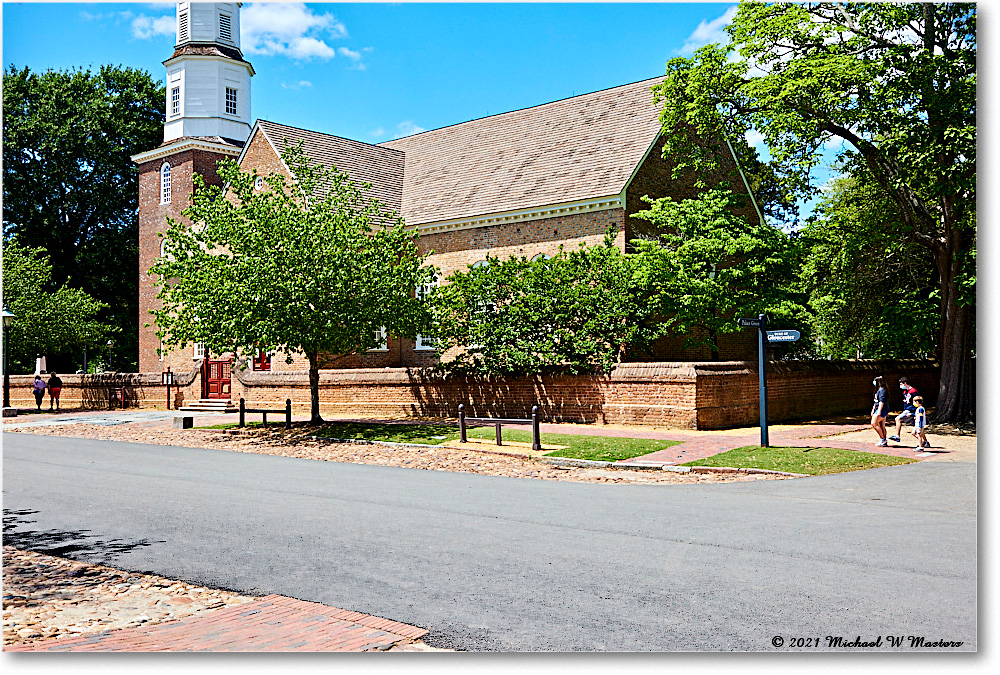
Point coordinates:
[(812, 461)]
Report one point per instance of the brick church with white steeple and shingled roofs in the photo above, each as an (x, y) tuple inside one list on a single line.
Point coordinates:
[(519, 183)]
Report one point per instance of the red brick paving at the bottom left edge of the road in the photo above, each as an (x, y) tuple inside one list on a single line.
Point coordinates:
[(273, 623)]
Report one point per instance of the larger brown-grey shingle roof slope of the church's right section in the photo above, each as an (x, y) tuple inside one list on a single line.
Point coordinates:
[(576, 148)]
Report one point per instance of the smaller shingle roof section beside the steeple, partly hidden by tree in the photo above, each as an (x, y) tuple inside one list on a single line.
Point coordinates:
[(362, 162)]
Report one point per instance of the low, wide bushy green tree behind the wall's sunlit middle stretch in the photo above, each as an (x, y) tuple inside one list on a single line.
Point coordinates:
[(575, 312)]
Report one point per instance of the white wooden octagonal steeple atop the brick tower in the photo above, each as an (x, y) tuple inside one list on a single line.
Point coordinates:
[(208, 81)]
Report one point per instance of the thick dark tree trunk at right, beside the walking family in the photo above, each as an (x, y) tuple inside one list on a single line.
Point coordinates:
[(956, 401)]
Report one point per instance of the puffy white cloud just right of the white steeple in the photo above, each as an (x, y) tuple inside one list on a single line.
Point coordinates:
[(289, 29)]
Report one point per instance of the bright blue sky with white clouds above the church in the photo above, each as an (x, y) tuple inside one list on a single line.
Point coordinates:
[(373, 72)]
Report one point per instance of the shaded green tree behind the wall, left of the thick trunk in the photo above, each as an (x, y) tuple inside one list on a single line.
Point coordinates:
[(871, 288)]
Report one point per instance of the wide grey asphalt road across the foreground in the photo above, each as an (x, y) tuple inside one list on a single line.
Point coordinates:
[(490, 563)]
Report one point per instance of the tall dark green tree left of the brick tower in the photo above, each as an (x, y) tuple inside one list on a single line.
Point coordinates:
[(69, 186)]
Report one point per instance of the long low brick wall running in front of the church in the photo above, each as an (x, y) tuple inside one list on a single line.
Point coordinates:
[(683, 395)]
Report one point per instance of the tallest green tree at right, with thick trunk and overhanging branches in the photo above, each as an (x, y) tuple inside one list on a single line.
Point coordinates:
[(896, 84)]
